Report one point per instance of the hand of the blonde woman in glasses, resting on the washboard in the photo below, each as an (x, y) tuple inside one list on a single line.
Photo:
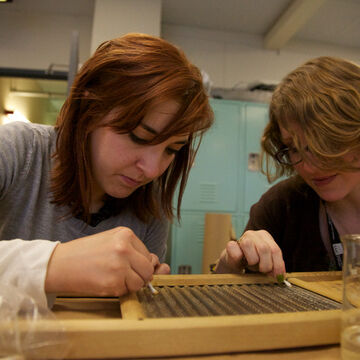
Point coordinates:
[(255, 250)]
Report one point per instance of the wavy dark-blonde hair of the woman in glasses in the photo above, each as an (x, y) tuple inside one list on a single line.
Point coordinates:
[(322, 97)]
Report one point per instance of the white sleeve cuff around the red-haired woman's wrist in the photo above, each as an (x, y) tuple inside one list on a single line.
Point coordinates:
[(23, 264)]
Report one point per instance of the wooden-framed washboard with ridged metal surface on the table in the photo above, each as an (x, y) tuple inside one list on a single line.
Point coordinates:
[(205, 314)]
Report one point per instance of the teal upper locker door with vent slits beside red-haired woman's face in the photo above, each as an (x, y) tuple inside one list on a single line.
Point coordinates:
[(213, 180)]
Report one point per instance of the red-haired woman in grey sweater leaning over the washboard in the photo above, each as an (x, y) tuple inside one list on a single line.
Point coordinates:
[(84, 205)]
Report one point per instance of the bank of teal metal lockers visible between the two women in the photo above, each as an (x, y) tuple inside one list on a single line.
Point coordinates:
[(222, 178)]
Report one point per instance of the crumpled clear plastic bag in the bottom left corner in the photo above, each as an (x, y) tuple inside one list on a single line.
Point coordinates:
[(28, 331)]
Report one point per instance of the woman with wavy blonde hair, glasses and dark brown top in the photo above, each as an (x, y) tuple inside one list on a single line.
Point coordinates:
[(313, 137)]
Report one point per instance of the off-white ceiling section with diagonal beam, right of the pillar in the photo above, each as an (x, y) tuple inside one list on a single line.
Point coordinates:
[(335, 21)]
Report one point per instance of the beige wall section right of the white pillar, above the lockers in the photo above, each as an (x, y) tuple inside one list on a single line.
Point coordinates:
[(235, 59)]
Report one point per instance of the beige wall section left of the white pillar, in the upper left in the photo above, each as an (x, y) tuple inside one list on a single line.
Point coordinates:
[(34, 40)]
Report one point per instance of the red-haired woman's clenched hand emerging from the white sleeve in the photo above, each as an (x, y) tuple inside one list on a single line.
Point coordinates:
[(111, 263)]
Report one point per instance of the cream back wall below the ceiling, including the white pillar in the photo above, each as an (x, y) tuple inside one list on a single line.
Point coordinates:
[(35, 34)]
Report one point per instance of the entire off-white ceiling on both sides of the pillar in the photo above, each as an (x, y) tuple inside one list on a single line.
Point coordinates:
[(332, 21)]
